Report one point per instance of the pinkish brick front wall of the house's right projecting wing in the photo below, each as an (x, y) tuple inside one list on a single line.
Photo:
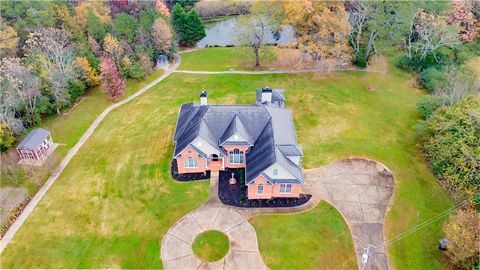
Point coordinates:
[(271, 191)]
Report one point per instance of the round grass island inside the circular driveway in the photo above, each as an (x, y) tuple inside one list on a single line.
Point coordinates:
[(211, 246)]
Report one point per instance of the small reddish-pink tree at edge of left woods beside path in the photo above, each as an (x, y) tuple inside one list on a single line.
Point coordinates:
[(112, 83)]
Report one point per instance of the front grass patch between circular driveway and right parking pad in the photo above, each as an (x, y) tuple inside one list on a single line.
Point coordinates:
[(324, 241)]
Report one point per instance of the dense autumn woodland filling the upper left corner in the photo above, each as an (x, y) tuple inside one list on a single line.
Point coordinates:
[(52, 51)]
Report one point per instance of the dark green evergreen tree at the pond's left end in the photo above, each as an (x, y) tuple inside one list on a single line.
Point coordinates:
[(188, 26)]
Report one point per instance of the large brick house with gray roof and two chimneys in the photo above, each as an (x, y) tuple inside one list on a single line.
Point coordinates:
[(258, 137)]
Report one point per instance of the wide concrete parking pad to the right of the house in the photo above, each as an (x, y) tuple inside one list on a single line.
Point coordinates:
[(360, 189)]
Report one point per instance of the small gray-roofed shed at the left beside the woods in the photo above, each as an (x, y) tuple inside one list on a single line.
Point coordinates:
[(36, 147)]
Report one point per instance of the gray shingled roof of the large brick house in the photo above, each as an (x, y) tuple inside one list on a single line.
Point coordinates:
[(270, 129)]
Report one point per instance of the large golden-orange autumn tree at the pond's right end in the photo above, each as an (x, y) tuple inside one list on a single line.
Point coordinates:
[(322, 29)]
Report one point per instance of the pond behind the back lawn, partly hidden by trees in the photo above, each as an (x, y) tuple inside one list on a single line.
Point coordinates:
[(223, 33)]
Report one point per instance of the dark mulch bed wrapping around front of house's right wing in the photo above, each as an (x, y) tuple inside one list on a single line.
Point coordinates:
[(236, 195)]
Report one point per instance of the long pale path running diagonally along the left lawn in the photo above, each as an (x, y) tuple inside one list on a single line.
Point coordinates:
[(56, 173)]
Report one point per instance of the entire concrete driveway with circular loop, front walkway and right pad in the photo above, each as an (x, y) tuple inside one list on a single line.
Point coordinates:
[(360, 189)]
